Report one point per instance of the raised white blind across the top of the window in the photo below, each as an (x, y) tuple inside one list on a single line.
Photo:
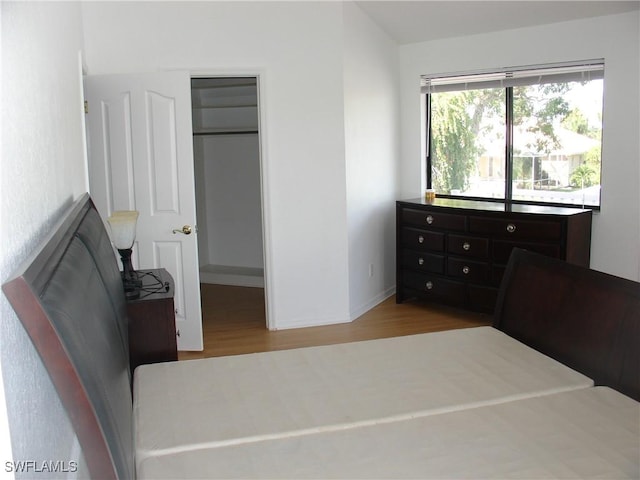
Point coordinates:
[(512, 77)]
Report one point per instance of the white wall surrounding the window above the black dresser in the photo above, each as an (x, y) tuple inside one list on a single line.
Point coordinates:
[(615, 244)]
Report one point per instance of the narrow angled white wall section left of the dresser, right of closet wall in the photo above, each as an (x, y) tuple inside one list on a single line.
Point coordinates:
[(372, 152)]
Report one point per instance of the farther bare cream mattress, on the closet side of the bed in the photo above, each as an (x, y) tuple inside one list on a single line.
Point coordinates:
[(228, 401)]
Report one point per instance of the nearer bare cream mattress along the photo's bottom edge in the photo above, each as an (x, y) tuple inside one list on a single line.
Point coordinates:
[(588, 433)]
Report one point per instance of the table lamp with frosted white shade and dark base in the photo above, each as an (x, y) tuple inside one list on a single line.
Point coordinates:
[(123, 232)]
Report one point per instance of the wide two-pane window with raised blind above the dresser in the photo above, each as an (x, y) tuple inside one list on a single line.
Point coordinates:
[(529, 135)]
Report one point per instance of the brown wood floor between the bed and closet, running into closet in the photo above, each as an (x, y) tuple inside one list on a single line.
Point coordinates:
[(234, 323)]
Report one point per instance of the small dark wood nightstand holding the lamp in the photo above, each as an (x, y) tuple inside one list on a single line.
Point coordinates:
[(152, 321)]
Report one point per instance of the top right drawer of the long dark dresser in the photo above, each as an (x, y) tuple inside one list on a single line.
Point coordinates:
[(516, 228)]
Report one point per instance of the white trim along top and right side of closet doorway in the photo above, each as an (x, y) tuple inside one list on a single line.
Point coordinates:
[(260, 76)]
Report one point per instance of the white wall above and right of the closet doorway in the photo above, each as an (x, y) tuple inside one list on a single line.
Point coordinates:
[(296, 48)]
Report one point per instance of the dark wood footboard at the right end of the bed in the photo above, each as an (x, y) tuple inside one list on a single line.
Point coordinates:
[(585, 319)]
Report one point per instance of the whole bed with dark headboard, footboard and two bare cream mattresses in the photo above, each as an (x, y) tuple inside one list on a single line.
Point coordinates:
[(551, 390)]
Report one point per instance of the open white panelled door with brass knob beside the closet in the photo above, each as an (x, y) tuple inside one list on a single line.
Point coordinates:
[(141, 158)]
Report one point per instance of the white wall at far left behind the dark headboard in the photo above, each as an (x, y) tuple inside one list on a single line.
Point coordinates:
[(42, 172)]
